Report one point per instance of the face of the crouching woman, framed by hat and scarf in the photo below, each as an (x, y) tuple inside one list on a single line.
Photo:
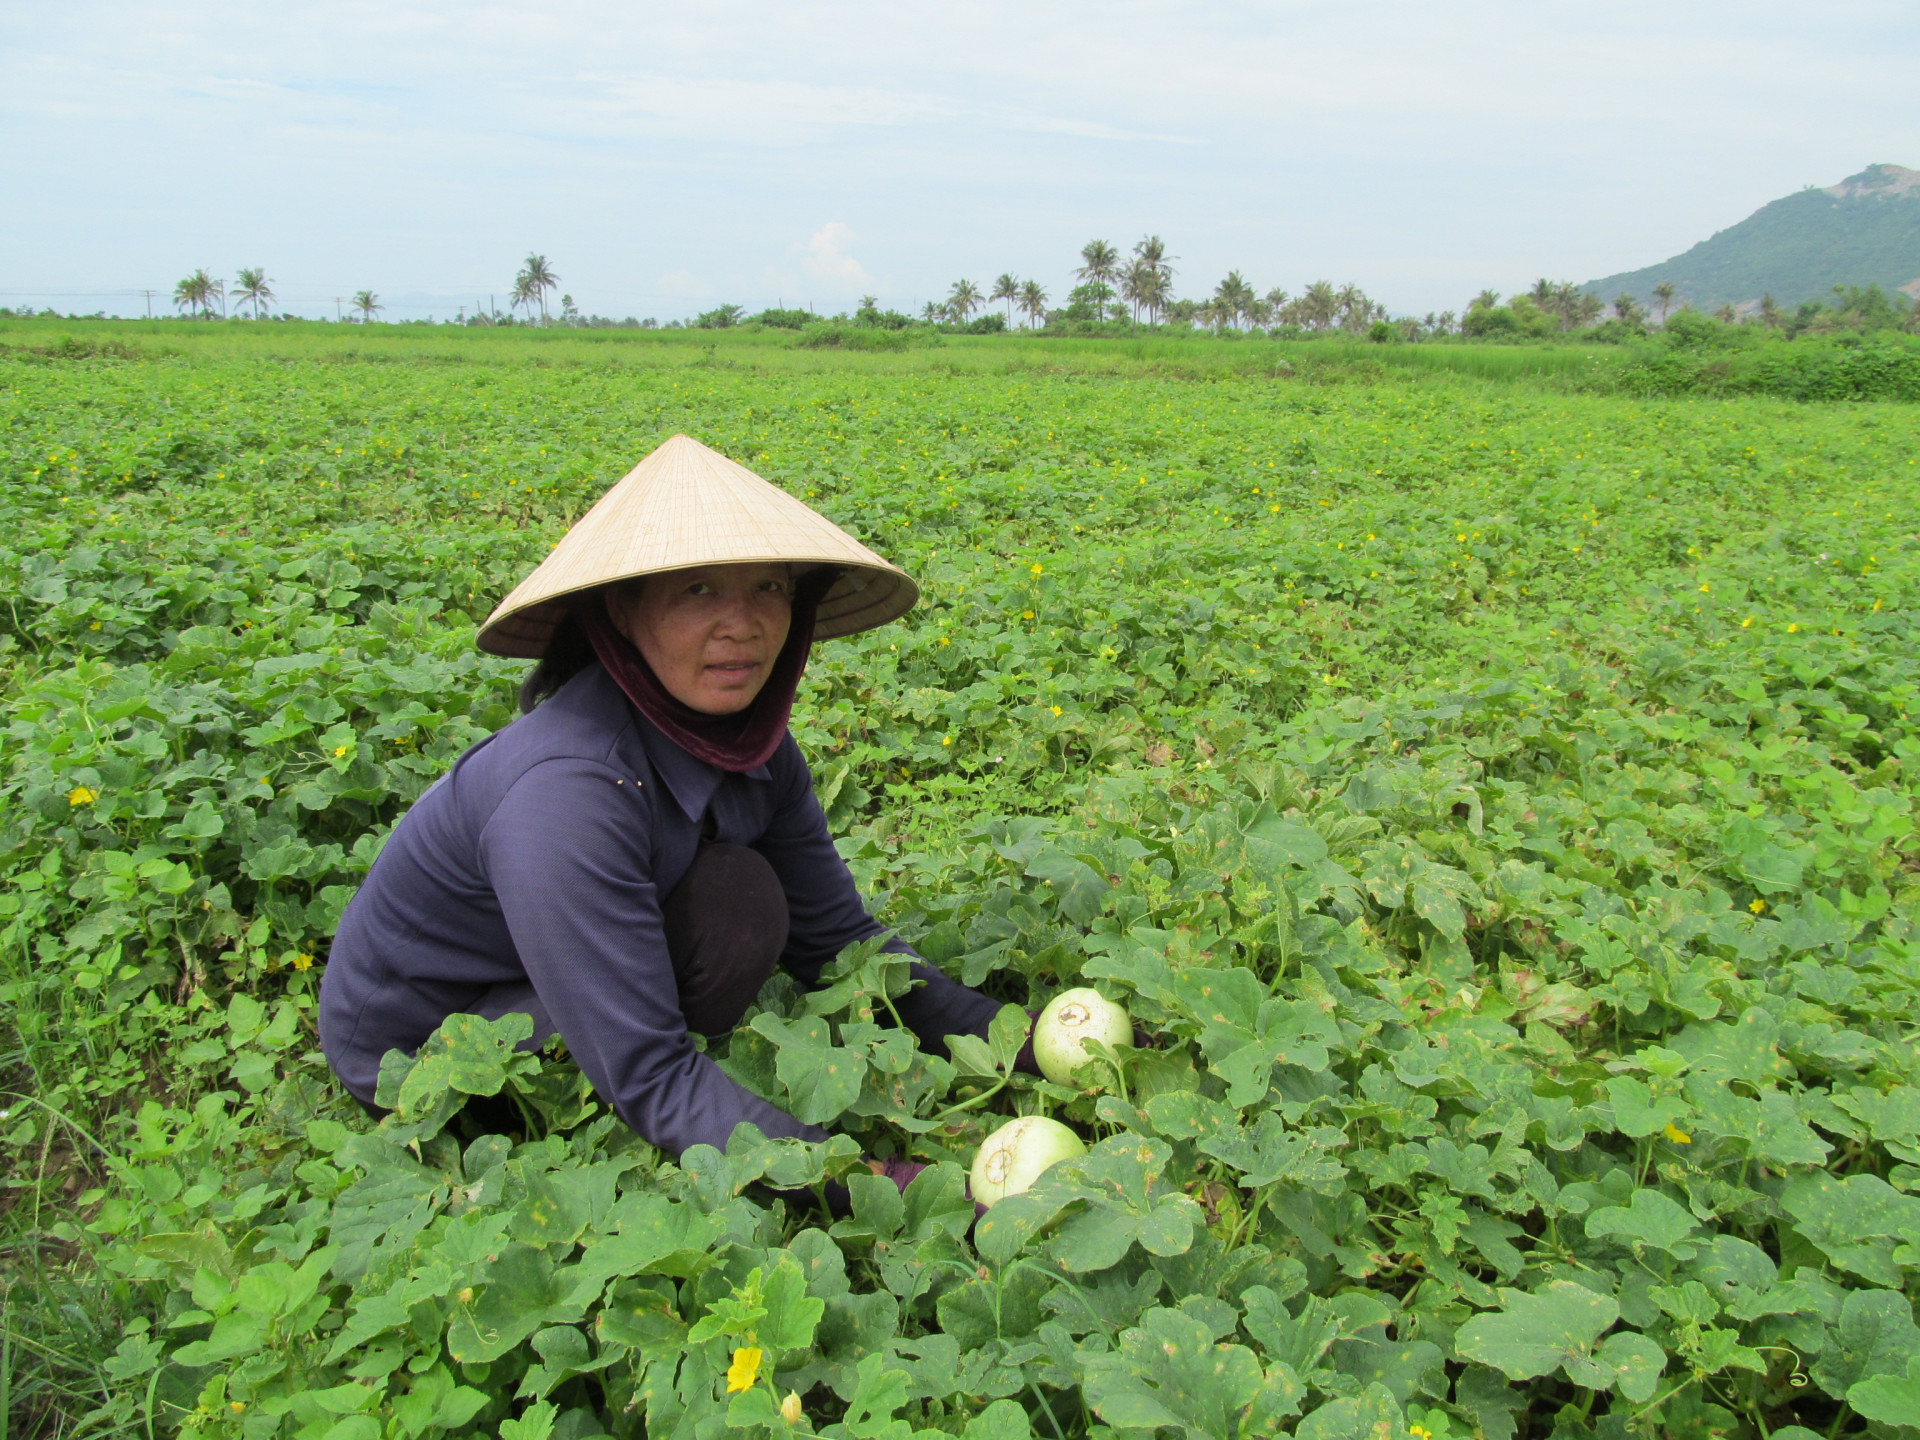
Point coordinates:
[(711, 635)]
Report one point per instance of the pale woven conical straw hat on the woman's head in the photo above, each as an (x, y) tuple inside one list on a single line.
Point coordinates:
[(690, 506)]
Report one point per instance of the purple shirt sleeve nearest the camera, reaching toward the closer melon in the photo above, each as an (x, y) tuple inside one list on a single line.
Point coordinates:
[(567, 857)]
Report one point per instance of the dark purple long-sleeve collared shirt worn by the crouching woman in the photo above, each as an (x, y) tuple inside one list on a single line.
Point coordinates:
[(542, 859)]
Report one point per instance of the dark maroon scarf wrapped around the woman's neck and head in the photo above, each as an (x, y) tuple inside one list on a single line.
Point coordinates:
[(731, 742)]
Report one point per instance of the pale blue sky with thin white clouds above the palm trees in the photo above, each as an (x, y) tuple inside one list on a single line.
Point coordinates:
[(673, 158)]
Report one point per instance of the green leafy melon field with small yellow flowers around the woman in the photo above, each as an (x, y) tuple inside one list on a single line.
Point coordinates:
[(1497, 804)]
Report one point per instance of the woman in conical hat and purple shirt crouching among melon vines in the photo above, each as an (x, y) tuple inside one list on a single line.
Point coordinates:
[(631, 859)]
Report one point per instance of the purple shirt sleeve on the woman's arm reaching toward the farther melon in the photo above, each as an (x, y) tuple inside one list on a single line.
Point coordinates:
[(827, 913)]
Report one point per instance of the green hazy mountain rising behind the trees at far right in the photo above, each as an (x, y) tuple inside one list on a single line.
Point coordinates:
[(1865, 229)]
